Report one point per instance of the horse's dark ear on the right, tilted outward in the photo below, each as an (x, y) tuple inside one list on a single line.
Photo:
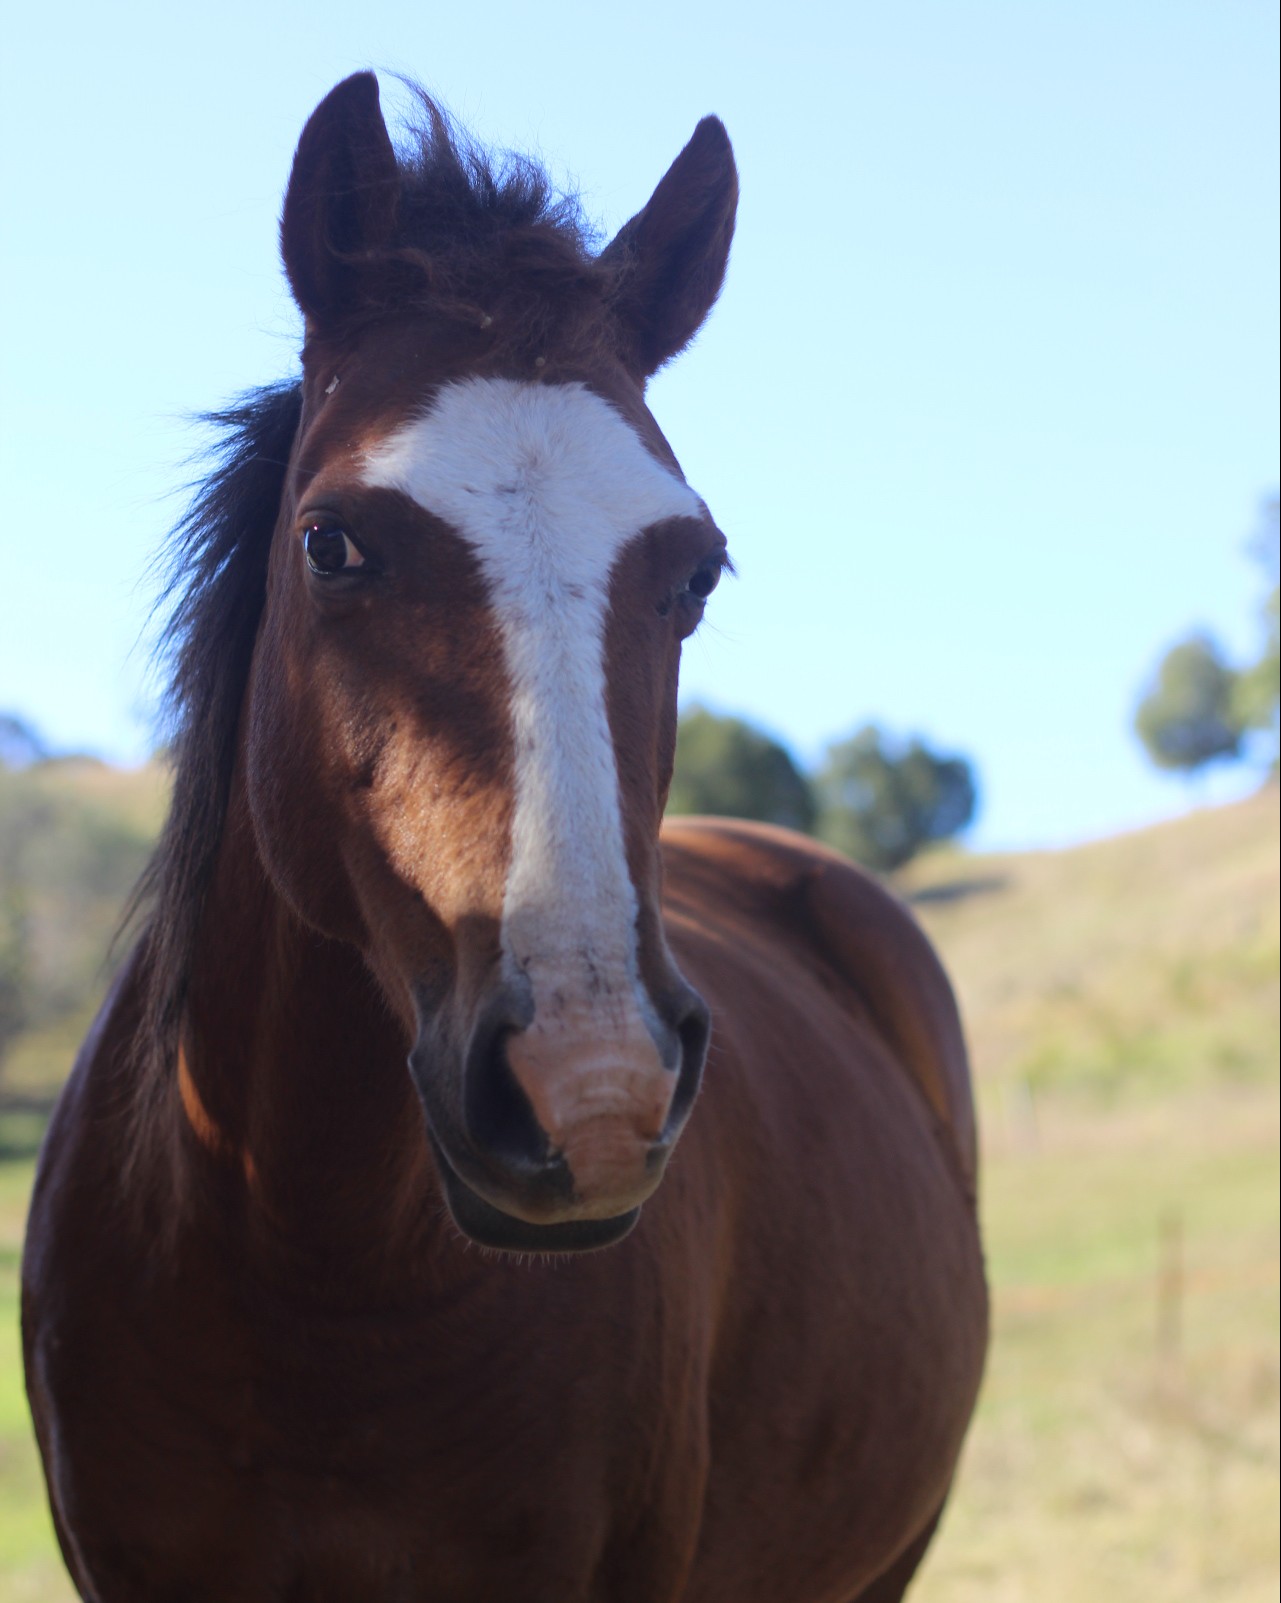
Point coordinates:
[(669, 260)]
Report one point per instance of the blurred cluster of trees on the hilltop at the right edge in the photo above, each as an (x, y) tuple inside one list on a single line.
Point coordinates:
[(1198, 708)]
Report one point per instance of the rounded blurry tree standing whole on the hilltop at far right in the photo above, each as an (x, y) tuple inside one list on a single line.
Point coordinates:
[(1189, 716)]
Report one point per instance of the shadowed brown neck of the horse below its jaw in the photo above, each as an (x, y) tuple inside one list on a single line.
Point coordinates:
[(294, 1080)]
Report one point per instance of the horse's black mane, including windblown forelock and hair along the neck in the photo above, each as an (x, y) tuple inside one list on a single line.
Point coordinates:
[(477, 240)]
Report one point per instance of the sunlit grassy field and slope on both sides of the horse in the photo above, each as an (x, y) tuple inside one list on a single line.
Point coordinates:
[(1123, 1007)]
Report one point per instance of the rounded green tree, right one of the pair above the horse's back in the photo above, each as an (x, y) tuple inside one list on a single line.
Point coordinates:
[(881, 801)]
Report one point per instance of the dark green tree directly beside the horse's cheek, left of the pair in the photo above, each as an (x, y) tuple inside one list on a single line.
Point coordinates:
[(729, 767)]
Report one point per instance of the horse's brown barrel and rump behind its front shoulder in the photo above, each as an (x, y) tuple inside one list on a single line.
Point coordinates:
[(836, 1136)]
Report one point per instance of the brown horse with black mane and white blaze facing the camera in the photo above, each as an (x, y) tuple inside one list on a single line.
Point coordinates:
[(427, 628)]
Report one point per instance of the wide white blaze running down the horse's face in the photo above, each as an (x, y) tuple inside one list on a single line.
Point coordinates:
[(548, 483)]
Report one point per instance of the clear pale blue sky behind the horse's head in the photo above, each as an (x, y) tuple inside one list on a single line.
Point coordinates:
[(988, 406)]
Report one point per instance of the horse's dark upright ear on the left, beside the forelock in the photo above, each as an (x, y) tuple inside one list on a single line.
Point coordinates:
[(342, 198)]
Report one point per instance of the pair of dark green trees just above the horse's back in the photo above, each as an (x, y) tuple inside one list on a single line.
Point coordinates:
[(876, 797)]
